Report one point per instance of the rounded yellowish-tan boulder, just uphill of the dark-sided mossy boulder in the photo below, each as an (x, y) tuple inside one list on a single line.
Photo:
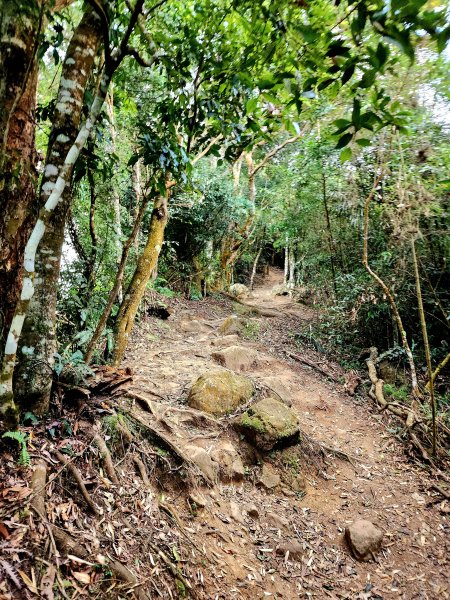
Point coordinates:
[(220, 392)]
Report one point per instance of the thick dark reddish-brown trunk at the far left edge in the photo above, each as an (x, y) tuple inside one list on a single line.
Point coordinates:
[(20, 23)]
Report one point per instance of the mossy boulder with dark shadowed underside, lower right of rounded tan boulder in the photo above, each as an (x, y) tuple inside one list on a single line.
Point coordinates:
[(267, 423)]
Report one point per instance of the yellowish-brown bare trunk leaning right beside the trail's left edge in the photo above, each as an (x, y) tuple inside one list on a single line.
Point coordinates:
[(135, 292)]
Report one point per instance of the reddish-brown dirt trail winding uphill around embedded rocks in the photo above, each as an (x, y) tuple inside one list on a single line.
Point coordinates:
[(243, 556)]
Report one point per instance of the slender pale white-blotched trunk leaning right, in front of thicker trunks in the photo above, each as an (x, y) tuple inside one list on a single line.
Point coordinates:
[(8, 407)]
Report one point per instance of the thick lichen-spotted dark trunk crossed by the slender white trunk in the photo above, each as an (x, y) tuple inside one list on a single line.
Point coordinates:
[(33, 374)]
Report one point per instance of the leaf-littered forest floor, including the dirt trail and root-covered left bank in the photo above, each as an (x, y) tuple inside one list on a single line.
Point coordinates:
[(182, 536)]
